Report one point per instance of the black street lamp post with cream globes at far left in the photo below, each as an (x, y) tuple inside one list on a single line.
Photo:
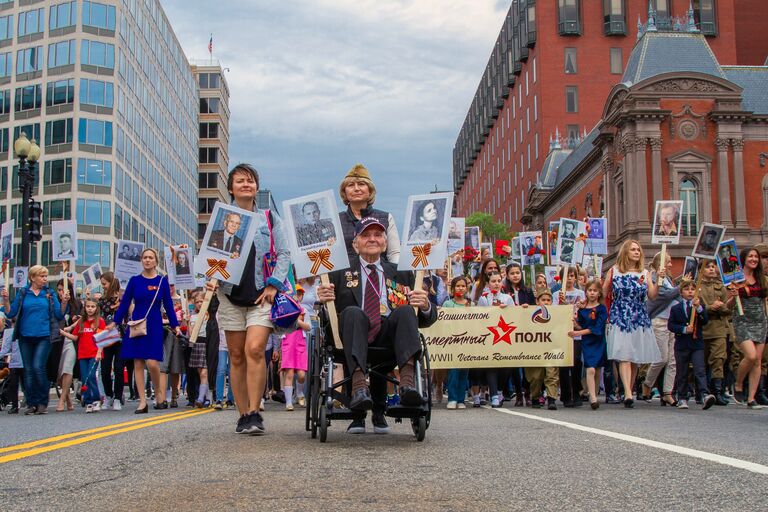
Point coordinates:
[(28, 153)]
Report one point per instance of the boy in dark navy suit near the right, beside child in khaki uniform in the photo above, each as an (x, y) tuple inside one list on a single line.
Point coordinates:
[(689, 344)]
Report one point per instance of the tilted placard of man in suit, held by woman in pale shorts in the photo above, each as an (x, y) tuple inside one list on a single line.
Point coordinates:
[(228, 236)]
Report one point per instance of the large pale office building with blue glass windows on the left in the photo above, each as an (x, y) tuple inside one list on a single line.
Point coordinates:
[(106, 90)]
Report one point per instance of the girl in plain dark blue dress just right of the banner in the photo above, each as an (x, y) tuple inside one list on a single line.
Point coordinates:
[(590, 326)]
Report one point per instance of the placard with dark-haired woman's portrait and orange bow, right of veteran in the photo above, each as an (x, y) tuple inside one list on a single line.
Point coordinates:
[(426, 226)]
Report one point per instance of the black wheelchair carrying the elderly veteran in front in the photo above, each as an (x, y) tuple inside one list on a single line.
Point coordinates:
[(325, 395)]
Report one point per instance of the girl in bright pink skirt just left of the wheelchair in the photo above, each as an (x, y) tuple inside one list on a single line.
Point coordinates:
[(293, 357)]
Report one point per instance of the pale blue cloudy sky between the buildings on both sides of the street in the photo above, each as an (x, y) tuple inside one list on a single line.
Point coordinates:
[(318, 86)]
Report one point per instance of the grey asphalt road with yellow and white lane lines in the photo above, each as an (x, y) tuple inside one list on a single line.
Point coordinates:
[(473, 459)]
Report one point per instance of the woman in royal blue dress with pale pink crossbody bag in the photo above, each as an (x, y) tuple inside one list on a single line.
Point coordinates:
[(146, 291)]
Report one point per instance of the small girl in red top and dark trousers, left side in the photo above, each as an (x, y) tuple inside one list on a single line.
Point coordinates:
[(88, 354)]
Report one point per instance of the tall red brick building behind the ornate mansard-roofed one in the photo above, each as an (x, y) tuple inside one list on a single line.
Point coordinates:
[(553, 65)]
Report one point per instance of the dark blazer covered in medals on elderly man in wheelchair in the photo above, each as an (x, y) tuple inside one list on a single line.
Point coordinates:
[(349, 289)]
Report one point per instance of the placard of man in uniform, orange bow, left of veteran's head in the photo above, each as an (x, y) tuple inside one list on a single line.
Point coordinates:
[(314, 234)]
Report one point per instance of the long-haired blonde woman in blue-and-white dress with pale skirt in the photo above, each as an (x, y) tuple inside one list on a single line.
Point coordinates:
[(629, 336)]
